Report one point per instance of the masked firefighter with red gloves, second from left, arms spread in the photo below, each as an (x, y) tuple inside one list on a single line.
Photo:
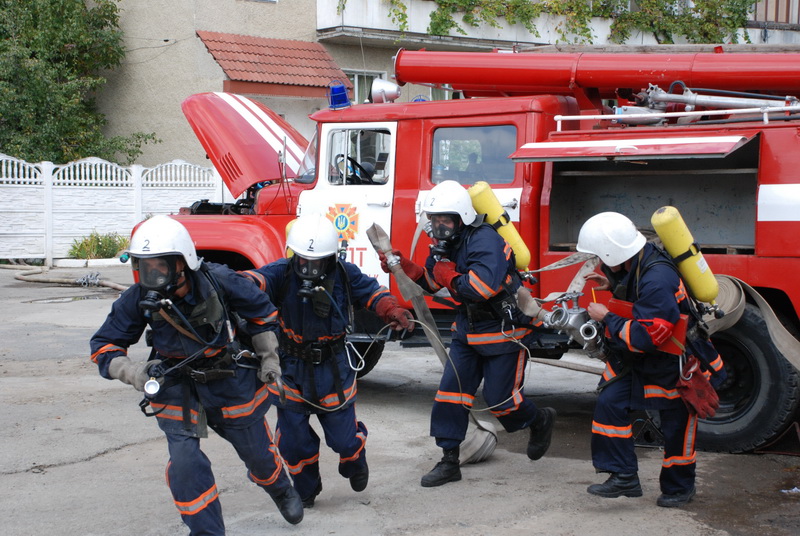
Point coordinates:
[(315, 291)]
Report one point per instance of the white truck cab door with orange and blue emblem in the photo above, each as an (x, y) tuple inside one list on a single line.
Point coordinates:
[(355, 186)]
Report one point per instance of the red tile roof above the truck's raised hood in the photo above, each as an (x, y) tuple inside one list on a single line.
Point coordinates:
[(264, 60)]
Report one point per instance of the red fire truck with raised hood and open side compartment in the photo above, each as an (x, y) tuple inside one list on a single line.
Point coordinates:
[(559, 137)]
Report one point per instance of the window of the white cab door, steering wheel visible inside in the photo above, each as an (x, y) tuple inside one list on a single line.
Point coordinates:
[(358, 156)]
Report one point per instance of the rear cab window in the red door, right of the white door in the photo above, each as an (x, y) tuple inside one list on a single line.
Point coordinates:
[(471, 154)]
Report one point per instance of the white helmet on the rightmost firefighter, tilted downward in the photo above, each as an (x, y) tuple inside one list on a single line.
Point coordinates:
[(611, 236)]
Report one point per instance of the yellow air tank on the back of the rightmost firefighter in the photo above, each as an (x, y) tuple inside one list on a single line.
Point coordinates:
[(680, 244)]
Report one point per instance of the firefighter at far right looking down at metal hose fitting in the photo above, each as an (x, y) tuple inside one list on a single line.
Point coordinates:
[(639, 374)]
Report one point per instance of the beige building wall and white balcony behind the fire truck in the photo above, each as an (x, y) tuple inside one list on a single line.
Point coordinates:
[(166, 62)]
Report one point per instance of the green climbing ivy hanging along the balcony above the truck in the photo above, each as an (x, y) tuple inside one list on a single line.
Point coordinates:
[(701, 21)]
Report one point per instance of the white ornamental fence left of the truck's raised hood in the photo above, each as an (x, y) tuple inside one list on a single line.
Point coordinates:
[(45, 207)]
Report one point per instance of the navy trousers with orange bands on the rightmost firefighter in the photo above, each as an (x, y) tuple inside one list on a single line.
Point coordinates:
[(612, 438)]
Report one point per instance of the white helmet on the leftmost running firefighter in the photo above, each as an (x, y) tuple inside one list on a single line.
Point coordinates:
[(160, 236)]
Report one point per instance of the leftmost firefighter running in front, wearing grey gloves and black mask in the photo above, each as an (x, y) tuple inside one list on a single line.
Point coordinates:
[(187, 305)]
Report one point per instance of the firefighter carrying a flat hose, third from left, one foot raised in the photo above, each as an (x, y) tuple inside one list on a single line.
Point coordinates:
[(476, 265)]
